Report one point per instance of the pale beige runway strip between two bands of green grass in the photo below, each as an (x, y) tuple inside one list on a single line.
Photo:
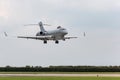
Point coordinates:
[(63, 75)]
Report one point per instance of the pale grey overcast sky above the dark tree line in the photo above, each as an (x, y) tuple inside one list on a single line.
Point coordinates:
[(100, 19)]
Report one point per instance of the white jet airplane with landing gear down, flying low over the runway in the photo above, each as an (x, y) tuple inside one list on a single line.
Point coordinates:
[(55, 35)]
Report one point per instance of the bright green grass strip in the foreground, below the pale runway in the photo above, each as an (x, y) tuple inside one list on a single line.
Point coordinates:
[(59, 78)]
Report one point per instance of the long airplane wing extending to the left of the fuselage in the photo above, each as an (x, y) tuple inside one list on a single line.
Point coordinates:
[(37, 37)]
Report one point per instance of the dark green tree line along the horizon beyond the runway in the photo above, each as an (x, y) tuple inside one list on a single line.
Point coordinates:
[(61, 69)]
